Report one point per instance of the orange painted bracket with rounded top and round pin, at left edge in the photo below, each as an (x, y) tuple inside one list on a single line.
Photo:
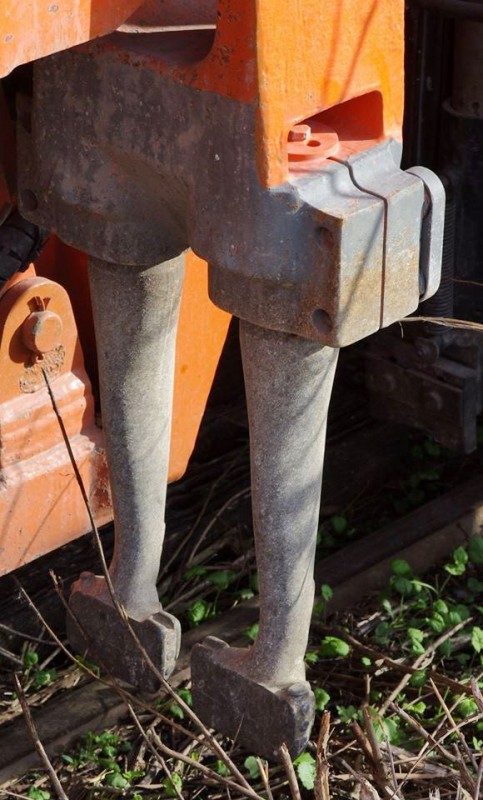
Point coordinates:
[(41, 506)]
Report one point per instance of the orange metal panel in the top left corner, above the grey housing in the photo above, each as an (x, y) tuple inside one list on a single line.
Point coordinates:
[(33, 29)]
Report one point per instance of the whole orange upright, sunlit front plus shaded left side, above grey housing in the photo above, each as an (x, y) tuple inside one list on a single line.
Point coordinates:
[(299, 60)]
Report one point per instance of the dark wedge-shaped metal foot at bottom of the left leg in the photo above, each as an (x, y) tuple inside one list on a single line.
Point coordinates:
[(107, 635)]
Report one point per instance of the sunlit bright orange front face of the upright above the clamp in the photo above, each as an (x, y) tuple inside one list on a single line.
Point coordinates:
[(327, 54)]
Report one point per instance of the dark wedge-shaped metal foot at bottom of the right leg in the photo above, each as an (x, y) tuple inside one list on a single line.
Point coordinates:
[(260, 718)]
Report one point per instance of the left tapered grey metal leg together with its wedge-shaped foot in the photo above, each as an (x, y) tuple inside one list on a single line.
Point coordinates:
[(135, 314)]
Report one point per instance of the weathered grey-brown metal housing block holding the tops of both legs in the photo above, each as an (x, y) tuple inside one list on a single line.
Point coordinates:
[(332, 254)]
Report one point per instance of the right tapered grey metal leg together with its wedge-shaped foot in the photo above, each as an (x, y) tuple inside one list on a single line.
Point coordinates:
[(260, 695)]
